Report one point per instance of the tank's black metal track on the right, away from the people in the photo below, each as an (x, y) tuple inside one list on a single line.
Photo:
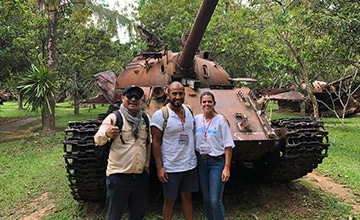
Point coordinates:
[(303, 146)]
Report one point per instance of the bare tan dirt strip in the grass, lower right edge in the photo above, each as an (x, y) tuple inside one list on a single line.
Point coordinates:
[(328, 185)]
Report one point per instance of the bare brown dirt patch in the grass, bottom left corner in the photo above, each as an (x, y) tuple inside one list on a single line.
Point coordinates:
[(40, 207)]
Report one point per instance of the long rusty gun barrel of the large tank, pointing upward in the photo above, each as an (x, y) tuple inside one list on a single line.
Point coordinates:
[(197, 32)]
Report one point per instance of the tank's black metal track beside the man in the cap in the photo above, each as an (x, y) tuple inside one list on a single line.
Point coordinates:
[(87, 179)]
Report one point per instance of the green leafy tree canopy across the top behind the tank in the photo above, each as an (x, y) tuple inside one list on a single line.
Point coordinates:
[(278, 42)]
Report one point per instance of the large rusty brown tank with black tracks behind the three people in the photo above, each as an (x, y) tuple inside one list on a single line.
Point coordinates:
[(280, 150)]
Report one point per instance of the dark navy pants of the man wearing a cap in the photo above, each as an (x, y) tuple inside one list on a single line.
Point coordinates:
[(130, 189)]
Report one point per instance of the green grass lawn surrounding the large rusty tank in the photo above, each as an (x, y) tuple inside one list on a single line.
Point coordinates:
[(33, 177)]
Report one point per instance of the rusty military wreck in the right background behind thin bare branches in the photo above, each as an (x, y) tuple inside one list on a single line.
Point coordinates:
[(336, 96)]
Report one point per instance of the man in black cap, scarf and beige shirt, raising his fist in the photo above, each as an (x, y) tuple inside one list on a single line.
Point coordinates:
[(127, 173)]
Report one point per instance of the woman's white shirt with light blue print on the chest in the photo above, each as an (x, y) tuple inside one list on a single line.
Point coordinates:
[(218, 135)]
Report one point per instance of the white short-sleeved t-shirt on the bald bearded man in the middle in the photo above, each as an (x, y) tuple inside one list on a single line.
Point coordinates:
[(177, 149)]
